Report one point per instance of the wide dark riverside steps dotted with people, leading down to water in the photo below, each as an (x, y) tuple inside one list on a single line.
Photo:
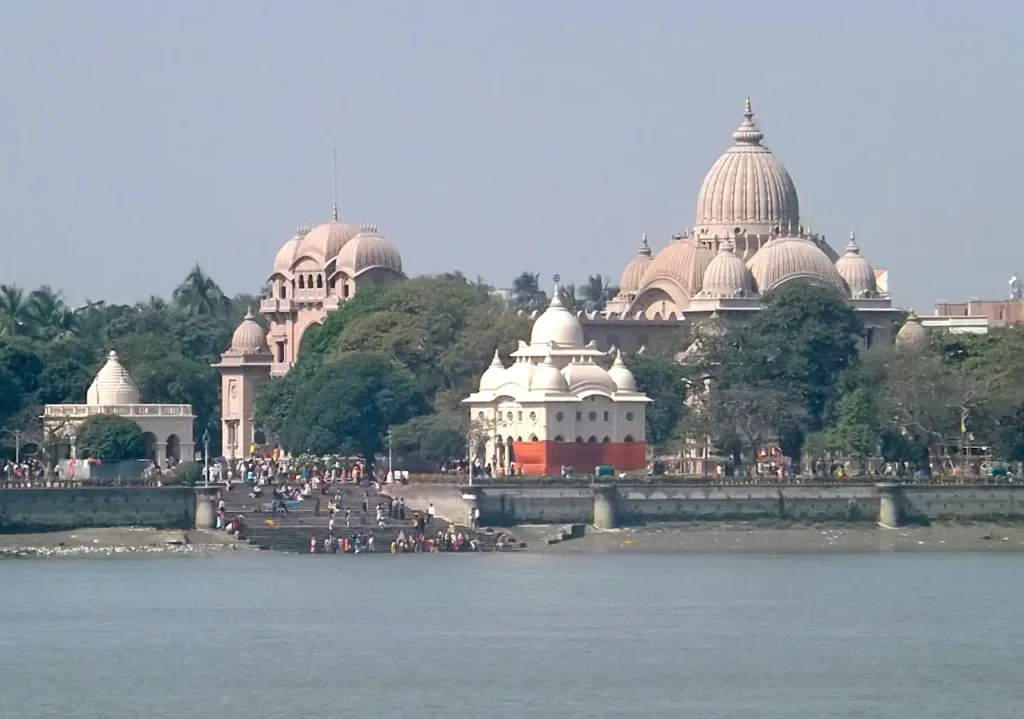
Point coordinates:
[(291, 533)]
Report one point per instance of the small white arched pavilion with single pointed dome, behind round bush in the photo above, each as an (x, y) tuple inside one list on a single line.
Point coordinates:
[(166, 429)]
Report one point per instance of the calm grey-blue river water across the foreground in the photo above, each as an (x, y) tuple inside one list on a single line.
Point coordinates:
[(706, 637)]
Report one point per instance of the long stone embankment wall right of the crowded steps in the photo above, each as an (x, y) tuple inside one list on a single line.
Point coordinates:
[(627, 504)]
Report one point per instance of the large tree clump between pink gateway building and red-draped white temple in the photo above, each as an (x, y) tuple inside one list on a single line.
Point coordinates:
[(438, 333)]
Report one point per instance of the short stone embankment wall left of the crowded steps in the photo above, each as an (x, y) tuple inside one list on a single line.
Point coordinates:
[(57, 510)]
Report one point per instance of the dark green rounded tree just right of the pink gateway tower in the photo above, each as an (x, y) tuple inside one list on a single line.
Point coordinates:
[(350, 405)]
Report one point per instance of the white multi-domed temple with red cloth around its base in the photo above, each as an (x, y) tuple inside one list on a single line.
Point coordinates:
[(556, 406)]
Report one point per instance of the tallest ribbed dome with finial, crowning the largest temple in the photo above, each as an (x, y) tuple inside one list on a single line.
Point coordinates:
[(746, 189)]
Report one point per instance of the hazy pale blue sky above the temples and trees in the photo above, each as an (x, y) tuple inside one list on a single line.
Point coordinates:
[(139, 138)]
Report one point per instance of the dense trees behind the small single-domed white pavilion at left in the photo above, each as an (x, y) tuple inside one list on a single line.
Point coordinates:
[(50, 352)]
